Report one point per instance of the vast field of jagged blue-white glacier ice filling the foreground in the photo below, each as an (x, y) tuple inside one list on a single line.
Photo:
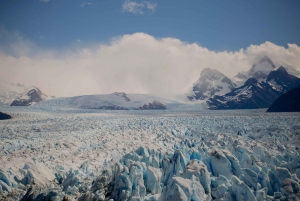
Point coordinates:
[(77, 154)]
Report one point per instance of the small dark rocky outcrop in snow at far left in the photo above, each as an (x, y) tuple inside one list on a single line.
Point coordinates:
[(34, 95)]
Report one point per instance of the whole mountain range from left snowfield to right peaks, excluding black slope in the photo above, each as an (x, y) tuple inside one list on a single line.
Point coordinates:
[(257, 88)]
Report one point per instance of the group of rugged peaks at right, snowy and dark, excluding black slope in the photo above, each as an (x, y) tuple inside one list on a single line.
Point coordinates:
[(262, 85)]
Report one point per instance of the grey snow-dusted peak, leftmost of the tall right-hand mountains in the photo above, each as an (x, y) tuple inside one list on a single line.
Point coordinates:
[(211, 82)]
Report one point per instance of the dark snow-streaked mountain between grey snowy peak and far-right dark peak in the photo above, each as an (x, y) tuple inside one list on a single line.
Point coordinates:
[(251, 95)]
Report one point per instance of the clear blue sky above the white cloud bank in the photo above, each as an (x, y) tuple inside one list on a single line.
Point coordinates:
[(217, 25)]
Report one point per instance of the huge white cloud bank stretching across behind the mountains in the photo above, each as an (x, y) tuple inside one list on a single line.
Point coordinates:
[(136, 63)]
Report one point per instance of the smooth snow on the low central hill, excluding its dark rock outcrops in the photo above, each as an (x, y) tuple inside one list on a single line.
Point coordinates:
[(177, 102)]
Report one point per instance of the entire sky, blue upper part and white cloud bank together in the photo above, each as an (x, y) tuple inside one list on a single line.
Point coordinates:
[(73, 47)]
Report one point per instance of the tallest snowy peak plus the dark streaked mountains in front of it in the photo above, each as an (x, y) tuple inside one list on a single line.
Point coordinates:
[(257, 88)]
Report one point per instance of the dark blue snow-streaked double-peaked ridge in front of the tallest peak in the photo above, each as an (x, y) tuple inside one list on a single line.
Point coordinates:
[(256, 94)]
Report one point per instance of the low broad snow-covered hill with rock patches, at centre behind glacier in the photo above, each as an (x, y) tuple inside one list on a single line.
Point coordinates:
[(114, 101)]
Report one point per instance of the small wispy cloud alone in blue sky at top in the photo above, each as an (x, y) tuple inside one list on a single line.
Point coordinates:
[(138, 8)]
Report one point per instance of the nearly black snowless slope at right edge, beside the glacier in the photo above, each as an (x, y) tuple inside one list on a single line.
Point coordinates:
[(288, 102)]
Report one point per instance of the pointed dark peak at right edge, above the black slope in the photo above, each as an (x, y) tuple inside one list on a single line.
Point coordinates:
[(282, 80)]
